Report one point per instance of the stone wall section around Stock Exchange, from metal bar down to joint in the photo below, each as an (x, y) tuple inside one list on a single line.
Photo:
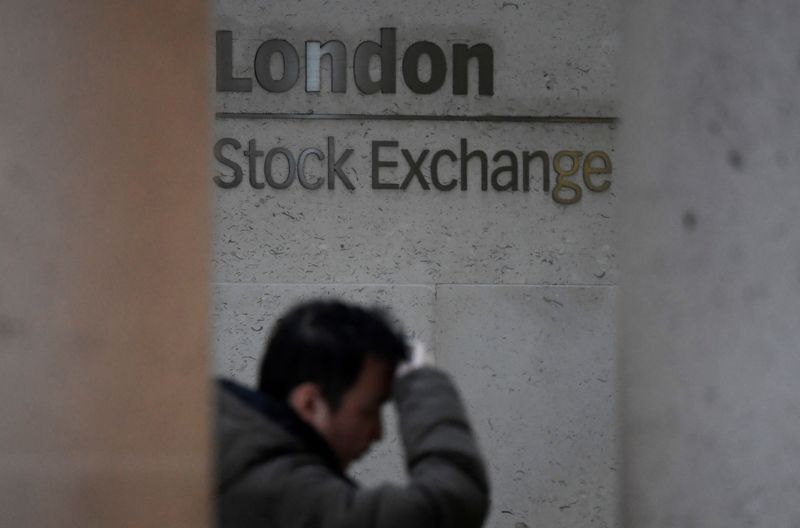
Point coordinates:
[(415, 235)]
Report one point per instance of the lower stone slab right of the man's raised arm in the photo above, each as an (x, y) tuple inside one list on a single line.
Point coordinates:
[(537, 368)]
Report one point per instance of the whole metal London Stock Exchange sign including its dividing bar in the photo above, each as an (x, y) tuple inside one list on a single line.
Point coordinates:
[(460, 164)]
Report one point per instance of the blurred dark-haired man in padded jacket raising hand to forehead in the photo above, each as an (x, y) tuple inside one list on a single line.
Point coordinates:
[(283, 449)]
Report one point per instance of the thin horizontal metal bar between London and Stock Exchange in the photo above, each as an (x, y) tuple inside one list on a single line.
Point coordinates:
[(308, 116)]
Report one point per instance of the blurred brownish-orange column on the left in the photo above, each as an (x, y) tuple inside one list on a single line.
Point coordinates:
[(103, 252)]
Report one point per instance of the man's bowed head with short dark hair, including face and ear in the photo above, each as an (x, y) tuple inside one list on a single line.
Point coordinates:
[(334, 363)]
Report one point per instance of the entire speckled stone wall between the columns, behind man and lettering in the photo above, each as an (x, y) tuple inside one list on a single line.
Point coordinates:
[(435, 256)]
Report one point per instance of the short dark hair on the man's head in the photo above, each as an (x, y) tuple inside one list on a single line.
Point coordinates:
[(326, 342)]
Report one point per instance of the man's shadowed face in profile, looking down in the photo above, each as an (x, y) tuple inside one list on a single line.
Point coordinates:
[(357, 421)]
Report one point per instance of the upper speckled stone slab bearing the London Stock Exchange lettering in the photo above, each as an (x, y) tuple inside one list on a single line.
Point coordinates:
[(419, 236)]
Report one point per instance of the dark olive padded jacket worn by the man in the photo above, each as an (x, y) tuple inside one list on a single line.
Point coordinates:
[(274, 471)]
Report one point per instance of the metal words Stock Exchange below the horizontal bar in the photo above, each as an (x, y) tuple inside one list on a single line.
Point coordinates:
[(442, 170)]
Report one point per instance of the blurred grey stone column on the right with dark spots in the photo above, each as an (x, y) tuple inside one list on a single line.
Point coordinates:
[(710, 293)]
